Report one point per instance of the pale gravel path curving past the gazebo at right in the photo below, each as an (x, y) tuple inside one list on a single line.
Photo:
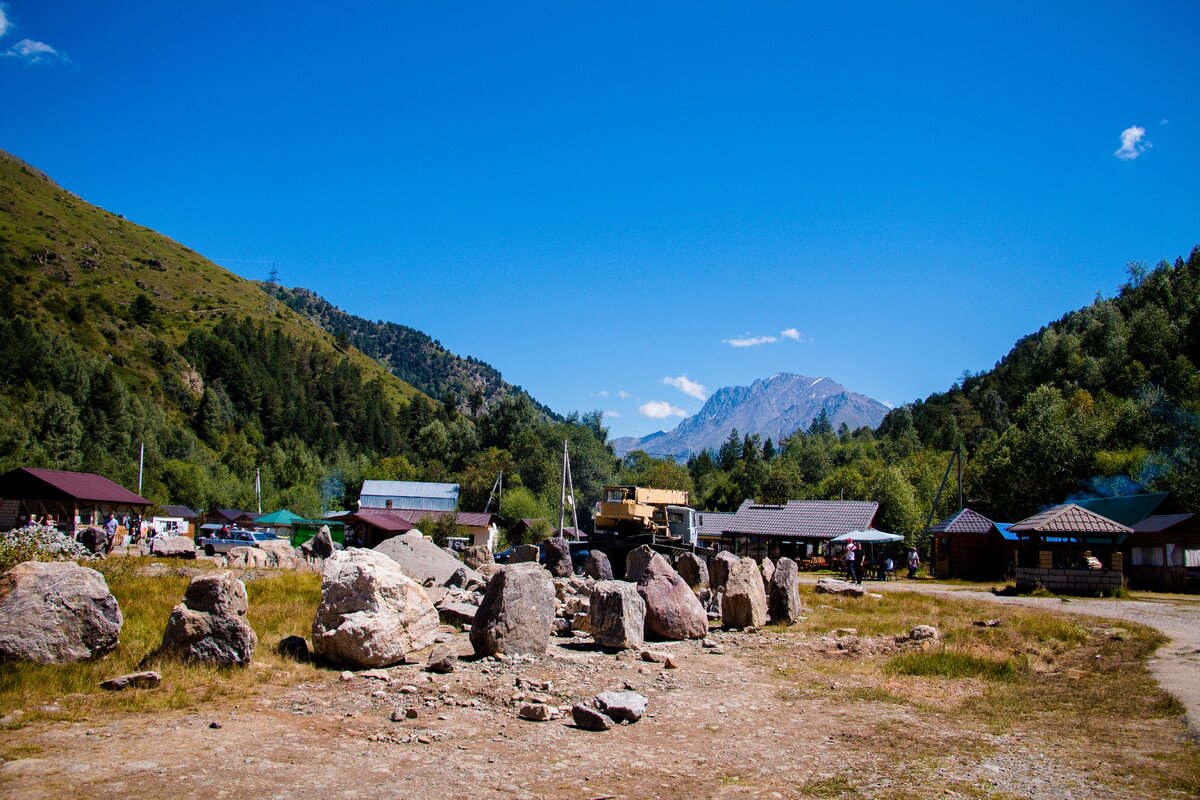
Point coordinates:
[(1177, 665)]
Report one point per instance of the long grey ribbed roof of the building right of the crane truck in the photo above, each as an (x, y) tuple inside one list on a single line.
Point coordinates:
[(803, 519)]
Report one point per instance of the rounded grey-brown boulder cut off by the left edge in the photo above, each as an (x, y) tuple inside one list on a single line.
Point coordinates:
[(57, 612)]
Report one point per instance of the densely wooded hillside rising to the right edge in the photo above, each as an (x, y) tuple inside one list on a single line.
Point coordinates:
[(1106, 401)]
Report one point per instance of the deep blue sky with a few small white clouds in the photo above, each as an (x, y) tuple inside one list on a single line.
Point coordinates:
[(601, 200)]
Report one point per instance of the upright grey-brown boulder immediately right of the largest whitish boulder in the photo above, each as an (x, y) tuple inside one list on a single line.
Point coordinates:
[(517, 613)]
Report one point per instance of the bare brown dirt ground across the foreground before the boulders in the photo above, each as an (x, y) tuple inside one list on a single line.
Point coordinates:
[(776, 714)]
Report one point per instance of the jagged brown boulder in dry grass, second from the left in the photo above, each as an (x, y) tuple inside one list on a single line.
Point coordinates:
[(211, 625)]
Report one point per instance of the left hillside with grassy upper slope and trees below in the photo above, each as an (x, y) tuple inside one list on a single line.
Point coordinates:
[(113, 336)]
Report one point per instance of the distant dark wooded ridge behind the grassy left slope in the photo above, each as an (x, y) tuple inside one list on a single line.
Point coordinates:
[(410, 354)]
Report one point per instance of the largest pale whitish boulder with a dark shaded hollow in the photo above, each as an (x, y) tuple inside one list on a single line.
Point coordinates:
[(371, 613)]
